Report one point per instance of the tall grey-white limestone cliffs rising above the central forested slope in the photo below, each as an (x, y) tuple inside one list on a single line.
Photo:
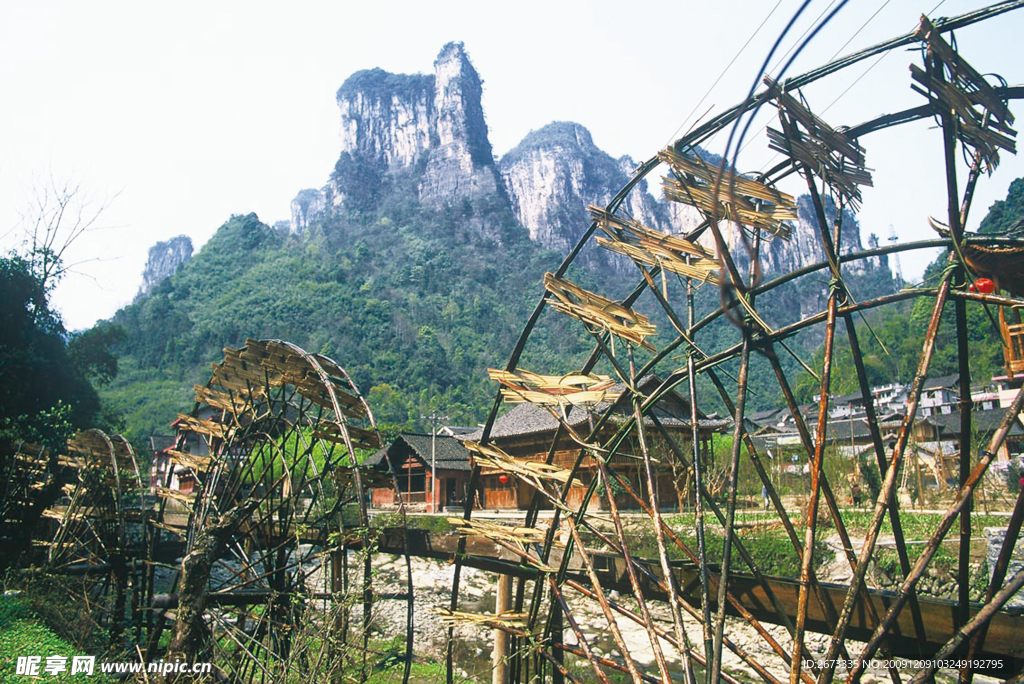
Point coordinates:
[(431, 131)]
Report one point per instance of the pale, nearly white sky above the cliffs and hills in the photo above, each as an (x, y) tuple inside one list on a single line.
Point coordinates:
[(187, 113)]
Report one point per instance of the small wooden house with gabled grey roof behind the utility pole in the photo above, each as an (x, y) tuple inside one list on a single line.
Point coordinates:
[(433, 473)]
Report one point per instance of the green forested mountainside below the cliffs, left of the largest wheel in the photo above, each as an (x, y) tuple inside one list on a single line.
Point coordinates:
[(414, 303)]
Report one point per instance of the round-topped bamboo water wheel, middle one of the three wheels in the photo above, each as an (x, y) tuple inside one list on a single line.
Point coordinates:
[(274, 578)]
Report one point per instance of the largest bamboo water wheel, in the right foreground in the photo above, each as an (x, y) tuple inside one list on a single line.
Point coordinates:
[(689, 594)]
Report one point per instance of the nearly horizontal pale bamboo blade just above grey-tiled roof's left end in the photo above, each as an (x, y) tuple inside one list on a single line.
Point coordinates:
[(549, 390)]
